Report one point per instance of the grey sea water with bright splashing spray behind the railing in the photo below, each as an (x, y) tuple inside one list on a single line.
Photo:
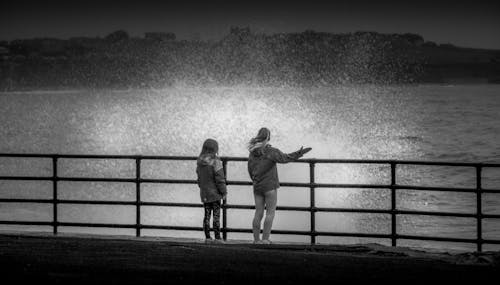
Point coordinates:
[(459, 123)]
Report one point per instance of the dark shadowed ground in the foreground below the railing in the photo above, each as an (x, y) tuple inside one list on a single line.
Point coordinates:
[(67, 259)]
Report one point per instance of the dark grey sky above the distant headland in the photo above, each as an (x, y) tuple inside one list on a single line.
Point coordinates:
[(468, 24)]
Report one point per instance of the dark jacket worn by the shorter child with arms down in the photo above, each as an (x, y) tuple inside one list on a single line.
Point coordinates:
[(211, 178)]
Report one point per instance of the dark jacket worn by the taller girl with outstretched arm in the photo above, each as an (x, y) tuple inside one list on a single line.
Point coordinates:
[(262, 167)]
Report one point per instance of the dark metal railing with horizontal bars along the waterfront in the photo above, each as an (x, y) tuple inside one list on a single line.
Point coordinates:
[(394, 236)]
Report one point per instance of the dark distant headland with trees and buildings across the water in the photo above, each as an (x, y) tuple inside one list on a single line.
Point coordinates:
[(241, 57)]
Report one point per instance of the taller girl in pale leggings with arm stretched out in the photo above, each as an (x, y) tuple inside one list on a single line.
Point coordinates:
[(264, 174)]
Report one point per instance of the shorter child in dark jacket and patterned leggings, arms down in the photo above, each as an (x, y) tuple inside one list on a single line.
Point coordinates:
[(212, 183)]
